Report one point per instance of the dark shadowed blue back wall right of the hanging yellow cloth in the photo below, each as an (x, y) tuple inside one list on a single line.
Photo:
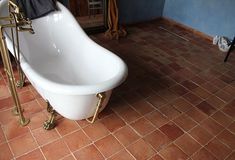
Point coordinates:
[(132, 11)]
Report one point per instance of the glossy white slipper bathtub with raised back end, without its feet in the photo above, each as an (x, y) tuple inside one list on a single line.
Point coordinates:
[(65, 66)]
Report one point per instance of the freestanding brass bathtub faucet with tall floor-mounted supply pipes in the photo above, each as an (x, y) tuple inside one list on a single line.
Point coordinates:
[(17, 21)]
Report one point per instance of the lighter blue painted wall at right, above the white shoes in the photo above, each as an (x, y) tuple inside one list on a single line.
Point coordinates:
[(213, 17)]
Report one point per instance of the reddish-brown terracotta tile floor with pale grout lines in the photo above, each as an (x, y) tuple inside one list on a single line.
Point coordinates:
[(178, 102)]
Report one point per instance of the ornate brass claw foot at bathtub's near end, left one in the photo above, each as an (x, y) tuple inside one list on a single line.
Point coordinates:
[(50, 124)]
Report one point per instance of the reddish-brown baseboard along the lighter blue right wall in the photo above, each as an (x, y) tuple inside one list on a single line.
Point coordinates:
[(192, 30)]
